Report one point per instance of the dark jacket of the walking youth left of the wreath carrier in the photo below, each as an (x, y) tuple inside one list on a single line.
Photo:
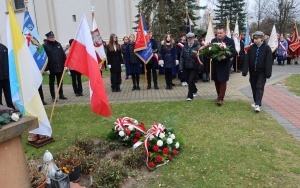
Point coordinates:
[(188, 57)]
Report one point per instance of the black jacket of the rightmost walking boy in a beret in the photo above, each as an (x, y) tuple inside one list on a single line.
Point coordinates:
[(264, 61)]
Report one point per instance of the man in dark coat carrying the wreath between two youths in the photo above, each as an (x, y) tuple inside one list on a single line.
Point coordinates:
[(220, 69)]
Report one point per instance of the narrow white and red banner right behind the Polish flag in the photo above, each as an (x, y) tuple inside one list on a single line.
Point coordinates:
[(98, 43)]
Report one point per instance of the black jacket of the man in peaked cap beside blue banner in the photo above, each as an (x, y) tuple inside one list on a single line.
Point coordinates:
[(56, 56)]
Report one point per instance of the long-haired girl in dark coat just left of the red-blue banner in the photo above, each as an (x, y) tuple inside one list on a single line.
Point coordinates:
[(134, 63)]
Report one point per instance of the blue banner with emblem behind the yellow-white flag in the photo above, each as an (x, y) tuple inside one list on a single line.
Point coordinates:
[(32, 40)]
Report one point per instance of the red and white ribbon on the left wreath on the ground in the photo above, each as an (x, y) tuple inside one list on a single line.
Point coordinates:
[(120, 124)]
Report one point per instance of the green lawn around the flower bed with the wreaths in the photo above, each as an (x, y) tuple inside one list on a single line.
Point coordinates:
[(228, 146)]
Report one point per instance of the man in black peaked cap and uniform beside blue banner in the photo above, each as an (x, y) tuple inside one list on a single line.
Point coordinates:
[(56, 63)]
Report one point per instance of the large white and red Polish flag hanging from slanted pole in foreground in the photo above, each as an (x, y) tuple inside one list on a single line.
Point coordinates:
[(82, 58)]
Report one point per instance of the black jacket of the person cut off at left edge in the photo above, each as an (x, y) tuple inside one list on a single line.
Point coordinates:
[(4, 71)]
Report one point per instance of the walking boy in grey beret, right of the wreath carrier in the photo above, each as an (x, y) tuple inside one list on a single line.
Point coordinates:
[(259, 64)]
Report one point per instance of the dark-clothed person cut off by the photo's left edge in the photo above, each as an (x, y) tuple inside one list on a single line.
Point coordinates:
[(4, 77)]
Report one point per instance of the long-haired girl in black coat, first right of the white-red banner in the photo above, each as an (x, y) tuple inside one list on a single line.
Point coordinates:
[(114, 59)]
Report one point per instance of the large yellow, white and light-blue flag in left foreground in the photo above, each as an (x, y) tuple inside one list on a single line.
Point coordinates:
[(25, 75)]
